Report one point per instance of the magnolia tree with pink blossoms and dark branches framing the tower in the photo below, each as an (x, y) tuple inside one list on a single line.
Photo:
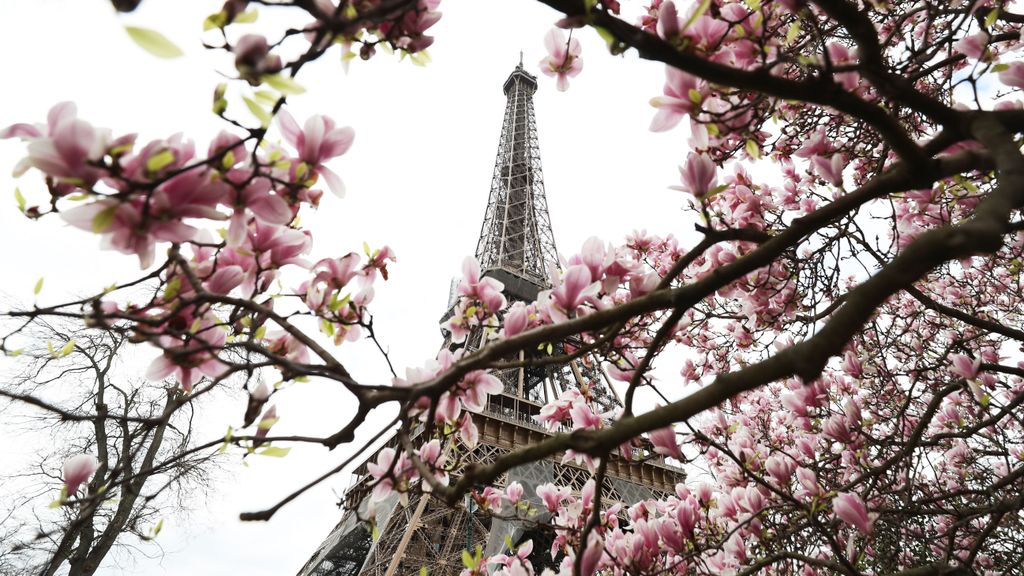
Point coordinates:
[(848, 324)]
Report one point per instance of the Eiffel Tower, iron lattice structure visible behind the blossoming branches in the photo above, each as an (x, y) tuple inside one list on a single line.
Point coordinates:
[(517, 248)]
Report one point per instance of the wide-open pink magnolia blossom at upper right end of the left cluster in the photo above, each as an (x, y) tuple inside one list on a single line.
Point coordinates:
[(319, 141)]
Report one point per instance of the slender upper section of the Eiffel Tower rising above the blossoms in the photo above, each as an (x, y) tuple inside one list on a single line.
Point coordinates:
[(517, 244)]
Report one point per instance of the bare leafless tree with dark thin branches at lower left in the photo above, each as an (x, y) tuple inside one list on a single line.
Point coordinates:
[(79, 394)]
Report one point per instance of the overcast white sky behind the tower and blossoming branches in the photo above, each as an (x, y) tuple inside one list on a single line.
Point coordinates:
[(418, 179)]
